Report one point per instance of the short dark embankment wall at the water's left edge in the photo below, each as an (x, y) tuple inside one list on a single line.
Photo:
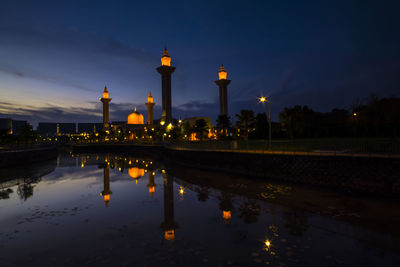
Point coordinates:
[(23, 156)]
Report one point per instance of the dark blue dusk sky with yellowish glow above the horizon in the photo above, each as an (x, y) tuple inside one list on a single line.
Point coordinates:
[(56, 56)]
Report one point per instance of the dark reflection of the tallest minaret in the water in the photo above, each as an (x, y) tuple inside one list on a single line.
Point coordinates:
[(169, 225)]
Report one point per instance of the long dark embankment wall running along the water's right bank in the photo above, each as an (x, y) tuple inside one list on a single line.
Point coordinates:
[(376, 175)]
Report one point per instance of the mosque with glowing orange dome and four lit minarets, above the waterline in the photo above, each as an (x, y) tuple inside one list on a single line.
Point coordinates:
[(135, 125)]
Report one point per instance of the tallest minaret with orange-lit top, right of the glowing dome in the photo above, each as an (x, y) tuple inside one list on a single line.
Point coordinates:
[(166, 70)]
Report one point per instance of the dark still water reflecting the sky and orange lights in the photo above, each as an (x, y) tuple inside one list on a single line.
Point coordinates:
[(120, 210)]
